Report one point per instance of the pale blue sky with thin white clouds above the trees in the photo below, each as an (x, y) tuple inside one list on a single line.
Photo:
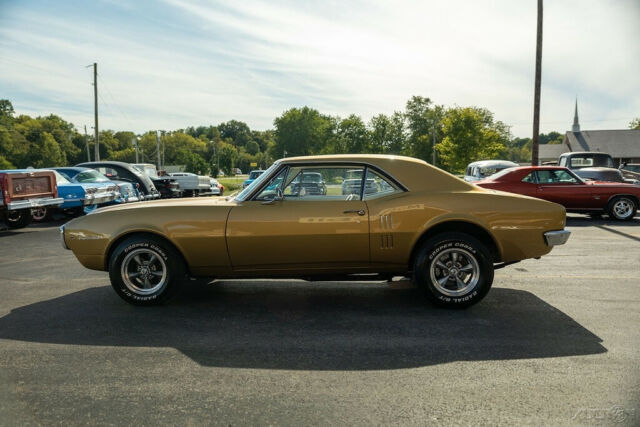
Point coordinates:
[(176, 63)]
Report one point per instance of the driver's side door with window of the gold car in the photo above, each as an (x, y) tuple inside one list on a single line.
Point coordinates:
[(287, 225)]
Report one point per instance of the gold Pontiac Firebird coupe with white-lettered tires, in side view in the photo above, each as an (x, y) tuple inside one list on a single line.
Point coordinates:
[(413, 219)]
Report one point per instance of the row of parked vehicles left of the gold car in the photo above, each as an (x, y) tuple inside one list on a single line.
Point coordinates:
[(31, 194)]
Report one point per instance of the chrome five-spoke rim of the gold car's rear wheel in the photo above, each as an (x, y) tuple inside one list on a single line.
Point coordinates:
[(454, 272)]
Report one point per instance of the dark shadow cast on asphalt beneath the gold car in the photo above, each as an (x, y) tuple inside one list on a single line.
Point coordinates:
[(308, 326)]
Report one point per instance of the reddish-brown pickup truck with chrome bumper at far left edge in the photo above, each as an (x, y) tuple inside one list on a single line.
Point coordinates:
[(23, 190)]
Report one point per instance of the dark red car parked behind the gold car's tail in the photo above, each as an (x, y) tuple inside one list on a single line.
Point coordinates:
[(560, 185)]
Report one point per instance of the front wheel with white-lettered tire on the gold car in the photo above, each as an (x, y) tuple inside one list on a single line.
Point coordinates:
[(145, 270)]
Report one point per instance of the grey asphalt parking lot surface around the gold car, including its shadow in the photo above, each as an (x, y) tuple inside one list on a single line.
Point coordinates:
[(556, 342)]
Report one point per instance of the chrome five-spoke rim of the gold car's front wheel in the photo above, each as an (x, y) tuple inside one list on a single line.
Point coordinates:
[(144, 271)]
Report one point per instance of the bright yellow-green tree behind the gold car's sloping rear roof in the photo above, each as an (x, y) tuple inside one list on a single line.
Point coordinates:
[(470, 134)]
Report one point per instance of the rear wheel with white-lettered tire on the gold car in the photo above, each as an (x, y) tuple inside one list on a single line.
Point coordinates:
[(455, 270)]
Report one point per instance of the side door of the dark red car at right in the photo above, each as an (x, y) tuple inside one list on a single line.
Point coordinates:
[(559, 186)]
